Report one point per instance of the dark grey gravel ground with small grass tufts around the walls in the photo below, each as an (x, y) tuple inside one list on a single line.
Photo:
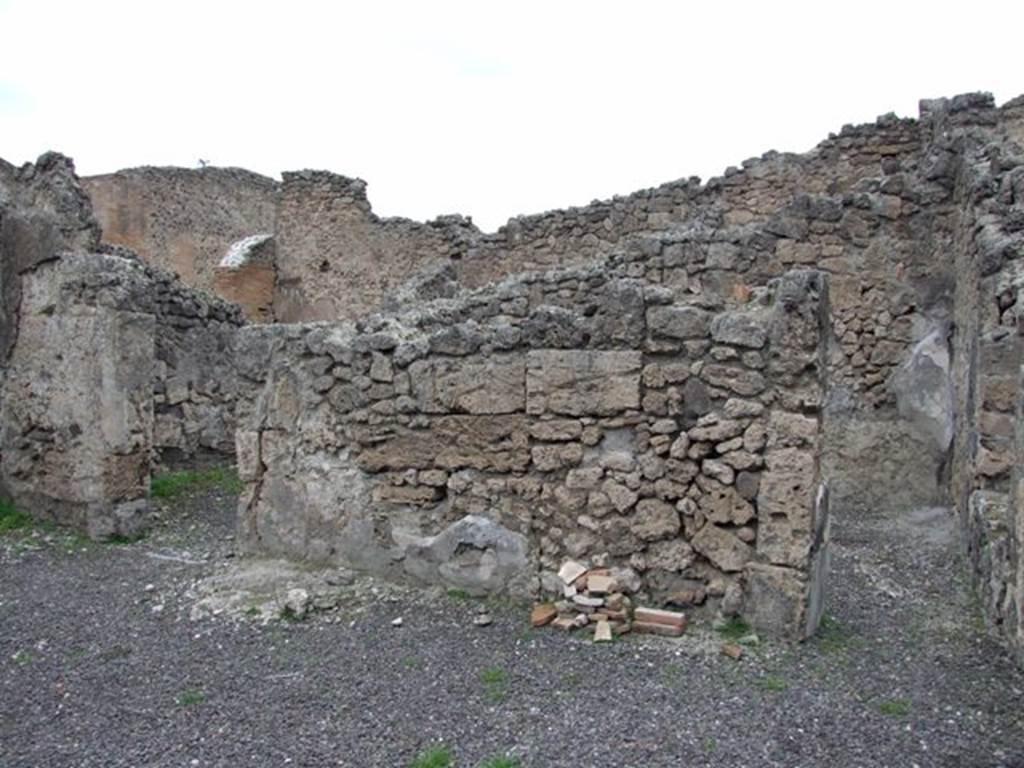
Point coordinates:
[(104, 666)]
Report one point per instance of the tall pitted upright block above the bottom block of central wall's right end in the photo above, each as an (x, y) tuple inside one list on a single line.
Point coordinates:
[(786, 501)]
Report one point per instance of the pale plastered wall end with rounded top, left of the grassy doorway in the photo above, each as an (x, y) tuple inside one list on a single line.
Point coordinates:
[(76, 410)]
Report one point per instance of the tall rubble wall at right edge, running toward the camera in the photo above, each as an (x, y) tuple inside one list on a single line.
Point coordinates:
[(987, 473)]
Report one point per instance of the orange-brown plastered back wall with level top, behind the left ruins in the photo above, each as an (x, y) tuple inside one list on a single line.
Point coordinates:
[(183, 220)]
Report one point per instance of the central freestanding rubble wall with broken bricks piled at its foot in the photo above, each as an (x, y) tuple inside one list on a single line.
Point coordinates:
[(590, 414)]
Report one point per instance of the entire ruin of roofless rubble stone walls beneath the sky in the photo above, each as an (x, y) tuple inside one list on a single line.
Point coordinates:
[(676, 388)]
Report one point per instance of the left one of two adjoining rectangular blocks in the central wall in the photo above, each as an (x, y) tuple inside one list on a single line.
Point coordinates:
[(495, 385)]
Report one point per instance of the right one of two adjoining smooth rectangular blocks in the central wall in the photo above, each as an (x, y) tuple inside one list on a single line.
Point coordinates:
[(582, 382)]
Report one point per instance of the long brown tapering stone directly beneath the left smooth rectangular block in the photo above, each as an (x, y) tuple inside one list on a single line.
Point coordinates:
[(488, 443)]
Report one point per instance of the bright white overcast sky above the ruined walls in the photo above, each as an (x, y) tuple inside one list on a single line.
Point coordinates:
[(487, 109)]
